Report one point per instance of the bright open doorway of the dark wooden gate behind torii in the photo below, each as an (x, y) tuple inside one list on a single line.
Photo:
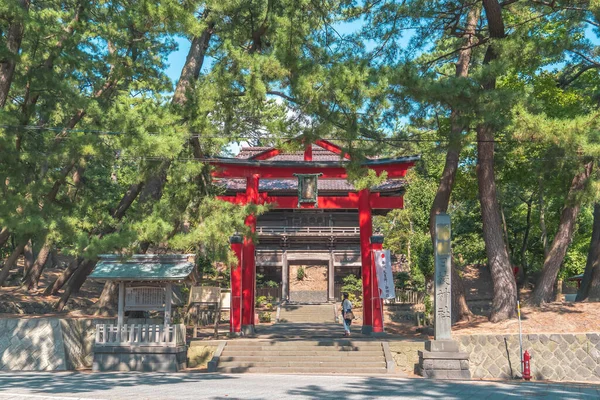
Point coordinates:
[(308, 283)]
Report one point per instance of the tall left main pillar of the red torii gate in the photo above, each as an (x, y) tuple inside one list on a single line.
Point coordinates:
[(249, 262)]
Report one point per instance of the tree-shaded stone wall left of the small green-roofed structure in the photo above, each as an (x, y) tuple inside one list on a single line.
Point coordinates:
[(46, 344)]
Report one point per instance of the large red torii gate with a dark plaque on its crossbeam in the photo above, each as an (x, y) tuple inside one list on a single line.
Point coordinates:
[(329, 164)]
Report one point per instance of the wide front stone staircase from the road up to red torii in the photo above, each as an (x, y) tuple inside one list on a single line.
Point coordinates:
[(322, 356)]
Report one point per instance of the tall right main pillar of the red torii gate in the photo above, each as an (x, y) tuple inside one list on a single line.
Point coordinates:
[(365, 224)]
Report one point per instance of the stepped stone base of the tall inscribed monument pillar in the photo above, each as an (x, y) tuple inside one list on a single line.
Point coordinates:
[(442, 360)]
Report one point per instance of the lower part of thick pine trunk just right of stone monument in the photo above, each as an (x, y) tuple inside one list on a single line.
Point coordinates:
[(504, 303)]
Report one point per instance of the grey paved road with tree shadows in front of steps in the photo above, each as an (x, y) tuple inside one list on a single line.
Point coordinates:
[(130, 386)]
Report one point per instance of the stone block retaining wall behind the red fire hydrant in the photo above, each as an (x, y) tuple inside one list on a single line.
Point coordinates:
[(556, 357)]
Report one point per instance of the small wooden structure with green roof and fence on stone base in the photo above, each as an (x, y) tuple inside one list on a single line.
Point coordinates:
[(145, 285)]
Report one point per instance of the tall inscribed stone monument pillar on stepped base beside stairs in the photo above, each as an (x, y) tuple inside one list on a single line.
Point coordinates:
[(442, 358)]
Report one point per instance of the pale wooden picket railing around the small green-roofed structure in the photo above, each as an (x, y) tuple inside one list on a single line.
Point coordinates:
[(140, 335)]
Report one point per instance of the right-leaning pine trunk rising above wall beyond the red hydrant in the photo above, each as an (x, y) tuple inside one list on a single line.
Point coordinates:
[(558, 249)]
